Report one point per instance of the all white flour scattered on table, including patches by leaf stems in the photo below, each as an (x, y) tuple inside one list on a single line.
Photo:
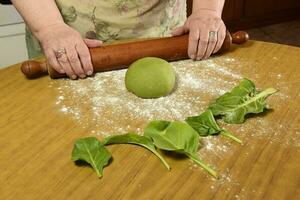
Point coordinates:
[(103, 106)]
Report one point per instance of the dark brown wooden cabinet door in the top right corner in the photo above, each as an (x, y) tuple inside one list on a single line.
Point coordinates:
[(255, 8)]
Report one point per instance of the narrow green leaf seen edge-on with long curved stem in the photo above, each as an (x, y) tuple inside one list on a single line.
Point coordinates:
[(132, 138)]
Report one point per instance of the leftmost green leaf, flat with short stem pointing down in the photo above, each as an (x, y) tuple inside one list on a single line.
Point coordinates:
[(93, 152)]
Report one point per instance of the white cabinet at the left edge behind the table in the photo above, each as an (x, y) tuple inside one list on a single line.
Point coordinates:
[(12, 37)]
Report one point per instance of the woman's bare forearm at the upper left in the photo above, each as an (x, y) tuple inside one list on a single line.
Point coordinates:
[(38, 14)]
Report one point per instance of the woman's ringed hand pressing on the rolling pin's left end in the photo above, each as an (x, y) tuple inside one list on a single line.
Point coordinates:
[(66, 50)]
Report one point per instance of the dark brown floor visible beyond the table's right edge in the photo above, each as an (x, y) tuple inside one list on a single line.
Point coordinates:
[(283, 33)]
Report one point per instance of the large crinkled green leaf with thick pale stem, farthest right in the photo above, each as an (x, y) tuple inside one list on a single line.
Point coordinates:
[(242, 100)]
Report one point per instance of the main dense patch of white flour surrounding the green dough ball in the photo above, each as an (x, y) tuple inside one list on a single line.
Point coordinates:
[(101, 102)]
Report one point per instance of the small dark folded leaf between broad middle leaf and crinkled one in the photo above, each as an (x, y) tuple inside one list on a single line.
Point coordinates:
[(205, 124)]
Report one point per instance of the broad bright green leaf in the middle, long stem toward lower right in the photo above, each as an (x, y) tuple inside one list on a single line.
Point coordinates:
[(176, 136)]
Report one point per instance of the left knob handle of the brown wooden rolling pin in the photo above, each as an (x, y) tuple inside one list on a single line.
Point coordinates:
[(34, 69)]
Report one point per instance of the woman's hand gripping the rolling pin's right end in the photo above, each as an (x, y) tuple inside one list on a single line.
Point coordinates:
[(207, 32)]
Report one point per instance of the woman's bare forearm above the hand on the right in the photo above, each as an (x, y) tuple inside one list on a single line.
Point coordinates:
[(214, 6)]
